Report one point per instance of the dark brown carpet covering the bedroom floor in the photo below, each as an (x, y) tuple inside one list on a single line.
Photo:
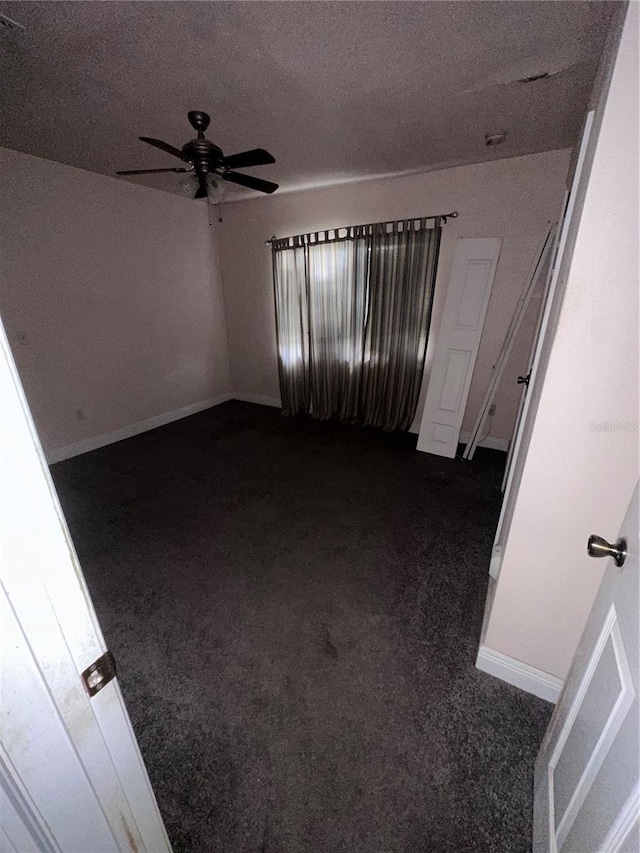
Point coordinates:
[(295, 609)]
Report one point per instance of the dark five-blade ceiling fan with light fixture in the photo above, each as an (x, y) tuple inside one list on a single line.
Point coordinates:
[(206, 159)]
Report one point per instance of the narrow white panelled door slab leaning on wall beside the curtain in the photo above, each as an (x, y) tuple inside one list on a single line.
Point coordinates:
[(468, 292)]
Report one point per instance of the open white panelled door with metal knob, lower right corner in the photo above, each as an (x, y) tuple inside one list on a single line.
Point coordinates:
[(587, 788)]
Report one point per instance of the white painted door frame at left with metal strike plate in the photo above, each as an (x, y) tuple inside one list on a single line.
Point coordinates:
[(71, 775)]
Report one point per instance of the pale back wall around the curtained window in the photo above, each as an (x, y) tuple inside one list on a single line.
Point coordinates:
[(512, 199)]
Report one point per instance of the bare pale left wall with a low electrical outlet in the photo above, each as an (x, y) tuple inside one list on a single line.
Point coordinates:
[(110, 297)]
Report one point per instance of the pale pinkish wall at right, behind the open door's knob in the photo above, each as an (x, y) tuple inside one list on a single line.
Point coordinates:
[(582, 460)]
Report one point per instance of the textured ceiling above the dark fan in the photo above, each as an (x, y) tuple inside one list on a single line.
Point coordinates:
[(335, 90)]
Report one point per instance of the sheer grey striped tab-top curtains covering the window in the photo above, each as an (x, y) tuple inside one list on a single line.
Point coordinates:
[(352, 316)]
